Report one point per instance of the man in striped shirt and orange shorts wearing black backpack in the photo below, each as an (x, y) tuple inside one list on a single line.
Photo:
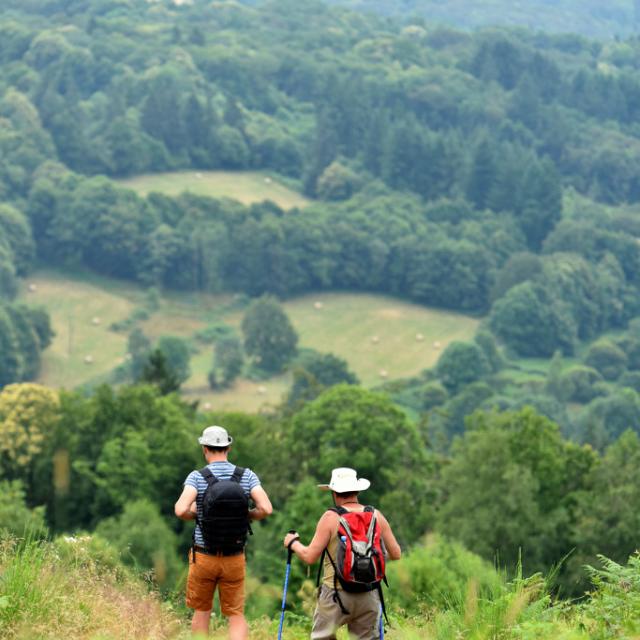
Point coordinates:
[(217, 498)]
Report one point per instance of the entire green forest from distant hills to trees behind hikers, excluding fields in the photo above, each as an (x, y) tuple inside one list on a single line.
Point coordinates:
[(491, 172)]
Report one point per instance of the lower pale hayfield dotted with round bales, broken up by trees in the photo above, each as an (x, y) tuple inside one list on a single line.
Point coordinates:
[(380, 337)]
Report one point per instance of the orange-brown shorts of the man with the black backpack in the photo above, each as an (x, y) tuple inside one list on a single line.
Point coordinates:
[(226, 573)]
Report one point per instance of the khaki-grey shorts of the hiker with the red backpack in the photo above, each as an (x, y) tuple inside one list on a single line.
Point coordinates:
[(363, 620)]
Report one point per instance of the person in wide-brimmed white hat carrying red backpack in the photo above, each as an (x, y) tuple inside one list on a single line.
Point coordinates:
[(354, 541)]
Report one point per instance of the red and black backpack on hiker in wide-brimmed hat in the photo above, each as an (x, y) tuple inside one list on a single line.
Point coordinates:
[(360, 562)]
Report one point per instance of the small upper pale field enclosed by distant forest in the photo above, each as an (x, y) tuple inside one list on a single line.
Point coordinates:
[(245, 186)]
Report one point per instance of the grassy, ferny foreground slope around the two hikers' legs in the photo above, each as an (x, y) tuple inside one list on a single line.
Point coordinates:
[(77, 588)]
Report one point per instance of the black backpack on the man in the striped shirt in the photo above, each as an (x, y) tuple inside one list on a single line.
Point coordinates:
[(225, 513)]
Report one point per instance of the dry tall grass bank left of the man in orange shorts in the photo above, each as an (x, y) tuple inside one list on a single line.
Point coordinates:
[(75, 588)]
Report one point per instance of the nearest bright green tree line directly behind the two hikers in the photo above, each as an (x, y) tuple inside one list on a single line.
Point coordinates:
[(114, 462)]
